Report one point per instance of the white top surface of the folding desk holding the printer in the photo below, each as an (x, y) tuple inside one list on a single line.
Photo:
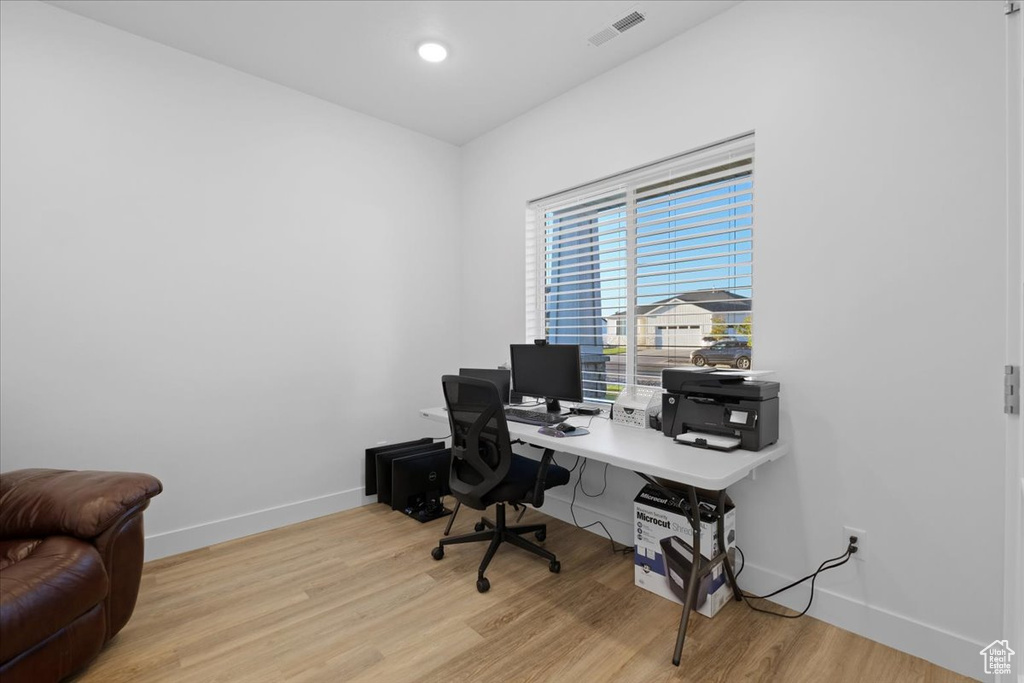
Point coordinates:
[(645, 451)]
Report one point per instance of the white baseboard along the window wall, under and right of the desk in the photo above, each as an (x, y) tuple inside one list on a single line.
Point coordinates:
[(950, 651)]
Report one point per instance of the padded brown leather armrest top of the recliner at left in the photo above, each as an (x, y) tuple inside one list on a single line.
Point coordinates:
[(83, 504)]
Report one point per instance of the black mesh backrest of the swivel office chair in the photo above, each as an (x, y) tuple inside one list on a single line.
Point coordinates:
[(482, 450)]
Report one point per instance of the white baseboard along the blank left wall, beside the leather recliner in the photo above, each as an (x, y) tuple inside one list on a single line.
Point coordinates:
[(208, 534)]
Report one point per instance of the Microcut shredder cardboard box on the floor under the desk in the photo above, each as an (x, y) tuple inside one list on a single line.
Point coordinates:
[(656, 520)]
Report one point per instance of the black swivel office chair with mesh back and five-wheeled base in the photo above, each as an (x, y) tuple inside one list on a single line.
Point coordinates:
[(485, 472)]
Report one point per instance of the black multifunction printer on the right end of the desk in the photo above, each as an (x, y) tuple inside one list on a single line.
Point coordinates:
[(719, 403)]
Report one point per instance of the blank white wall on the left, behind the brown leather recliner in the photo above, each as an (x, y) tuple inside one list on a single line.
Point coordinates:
[(210, 278)]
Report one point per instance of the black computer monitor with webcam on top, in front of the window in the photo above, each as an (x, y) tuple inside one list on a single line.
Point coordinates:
[(547, 371)]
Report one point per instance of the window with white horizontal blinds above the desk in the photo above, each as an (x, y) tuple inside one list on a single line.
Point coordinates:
[(649, 269)]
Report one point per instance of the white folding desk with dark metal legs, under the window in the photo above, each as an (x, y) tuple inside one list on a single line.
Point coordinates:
[(657, 459)]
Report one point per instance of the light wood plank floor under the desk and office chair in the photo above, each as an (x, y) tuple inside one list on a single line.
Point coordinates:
[(356, 596)]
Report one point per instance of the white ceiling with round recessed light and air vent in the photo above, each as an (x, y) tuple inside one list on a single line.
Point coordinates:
[(504, 58)]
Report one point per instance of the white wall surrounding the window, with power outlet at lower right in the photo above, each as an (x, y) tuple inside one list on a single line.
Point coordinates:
[(880, 193)]
